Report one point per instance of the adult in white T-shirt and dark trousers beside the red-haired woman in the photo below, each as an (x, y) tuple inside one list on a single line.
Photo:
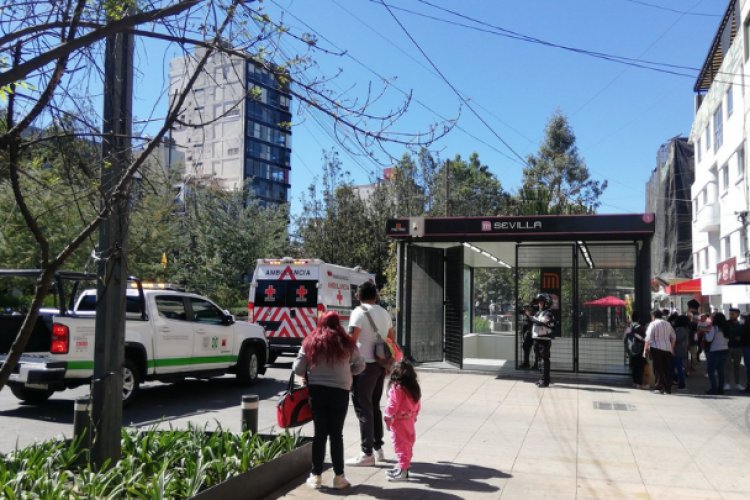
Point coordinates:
[(367, 389)]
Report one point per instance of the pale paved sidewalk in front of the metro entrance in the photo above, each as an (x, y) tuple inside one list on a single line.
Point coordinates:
[(483, 437)]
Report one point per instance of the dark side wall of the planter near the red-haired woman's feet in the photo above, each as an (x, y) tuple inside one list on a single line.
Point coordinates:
[(265, 479)]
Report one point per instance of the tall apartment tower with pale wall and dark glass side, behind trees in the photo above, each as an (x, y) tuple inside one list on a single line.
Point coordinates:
[(235, 125)]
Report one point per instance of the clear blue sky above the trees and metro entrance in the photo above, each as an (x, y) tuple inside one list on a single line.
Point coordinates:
[(481, 63)]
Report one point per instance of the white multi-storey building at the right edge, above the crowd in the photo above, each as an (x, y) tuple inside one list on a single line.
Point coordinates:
[(720, 197)]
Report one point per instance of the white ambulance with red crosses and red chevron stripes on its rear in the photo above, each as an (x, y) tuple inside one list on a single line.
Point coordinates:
[(287, 295)]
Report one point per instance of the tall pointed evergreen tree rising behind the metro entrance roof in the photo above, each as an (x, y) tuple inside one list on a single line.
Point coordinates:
[(557, 176)]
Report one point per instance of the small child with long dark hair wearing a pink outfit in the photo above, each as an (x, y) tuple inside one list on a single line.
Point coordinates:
[(400, 415)]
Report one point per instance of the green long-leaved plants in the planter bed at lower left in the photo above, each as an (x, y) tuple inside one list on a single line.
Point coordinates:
[(155, 464)]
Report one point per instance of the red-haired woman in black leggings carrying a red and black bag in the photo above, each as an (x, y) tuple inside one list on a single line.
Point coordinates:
[(328, 360)]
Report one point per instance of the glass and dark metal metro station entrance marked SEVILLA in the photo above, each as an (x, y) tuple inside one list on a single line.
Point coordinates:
[(596, 268)]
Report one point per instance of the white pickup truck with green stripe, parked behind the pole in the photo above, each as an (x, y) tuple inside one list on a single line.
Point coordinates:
[(169, 335)]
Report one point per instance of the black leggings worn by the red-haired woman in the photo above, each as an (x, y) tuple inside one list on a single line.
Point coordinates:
[(329, 406)]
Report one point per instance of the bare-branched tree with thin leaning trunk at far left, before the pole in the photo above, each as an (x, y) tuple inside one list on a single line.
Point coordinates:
[(53, 65)]
